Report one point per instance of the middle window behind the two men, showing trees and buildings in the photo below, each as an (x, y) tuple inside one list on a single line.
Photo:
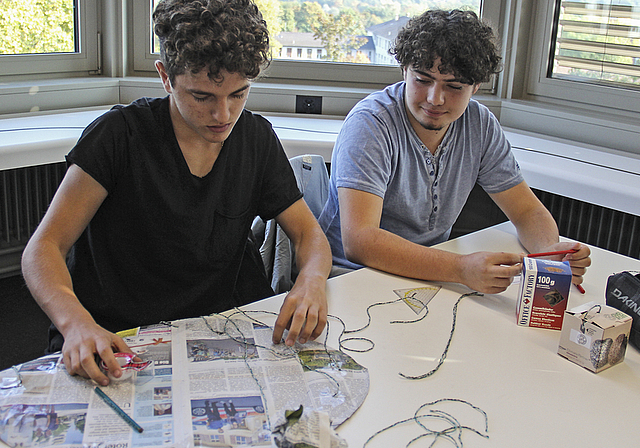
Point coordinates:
[(366, 32)]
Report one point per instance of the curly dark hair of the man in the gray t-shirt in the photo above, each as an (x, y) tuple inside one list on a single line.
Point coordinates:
[(466, 46)]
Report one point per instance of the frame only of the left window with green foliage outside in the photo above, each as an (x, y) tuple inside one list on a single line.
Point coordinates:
[(86, 60)]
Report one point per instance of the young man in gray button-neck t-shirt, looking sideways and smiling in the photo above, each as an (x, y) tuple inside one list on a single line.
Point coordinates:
[(407, 158)]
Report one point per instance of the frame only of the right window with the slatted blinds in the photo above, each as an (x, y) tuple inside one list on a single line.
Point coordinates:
[(565, 91)]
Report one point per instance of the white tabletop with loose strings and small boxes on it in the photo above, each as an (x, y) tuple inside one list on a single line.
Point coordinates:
[(533, 397)]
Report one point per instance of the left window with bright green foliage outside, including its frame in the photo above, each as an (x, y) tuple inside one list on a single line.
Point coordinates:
[(48, 36)]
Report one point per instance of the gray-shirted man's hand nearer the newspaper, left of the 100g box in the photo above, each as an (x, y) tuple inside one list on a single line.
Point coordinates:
[(489, 272)]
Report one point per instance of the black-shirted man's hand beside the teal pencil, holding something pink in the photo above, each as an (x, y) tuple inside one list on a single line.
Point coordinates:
[(81, 345)]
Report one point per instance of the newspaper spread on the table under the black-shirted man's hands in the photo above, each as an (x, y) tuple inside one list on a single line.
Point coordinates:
[(214, 381)]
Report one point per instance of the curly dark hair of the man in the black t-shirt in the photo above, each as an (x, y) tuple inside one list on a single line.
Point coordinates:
[(220, 35)]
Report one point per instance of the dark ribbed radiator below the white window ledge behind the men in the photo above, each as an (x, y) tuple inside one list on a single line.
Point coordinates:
[(25, 194)]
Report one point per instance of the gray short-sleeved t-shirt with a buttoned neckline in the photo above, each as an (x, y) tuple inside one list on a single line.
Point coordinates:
[(378, 151)]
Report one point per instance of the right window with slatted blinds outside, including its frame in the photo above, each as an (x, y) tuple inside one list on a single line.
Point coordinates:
[(588, 52)]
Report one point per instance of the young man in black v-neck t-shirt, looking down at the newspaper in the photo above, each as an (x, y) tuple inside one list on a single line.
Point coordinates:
[(153, 215)]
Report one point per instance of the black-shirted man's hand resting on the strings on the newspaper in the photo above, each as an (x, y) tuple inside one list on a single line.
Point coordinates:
[(304, 311)]
